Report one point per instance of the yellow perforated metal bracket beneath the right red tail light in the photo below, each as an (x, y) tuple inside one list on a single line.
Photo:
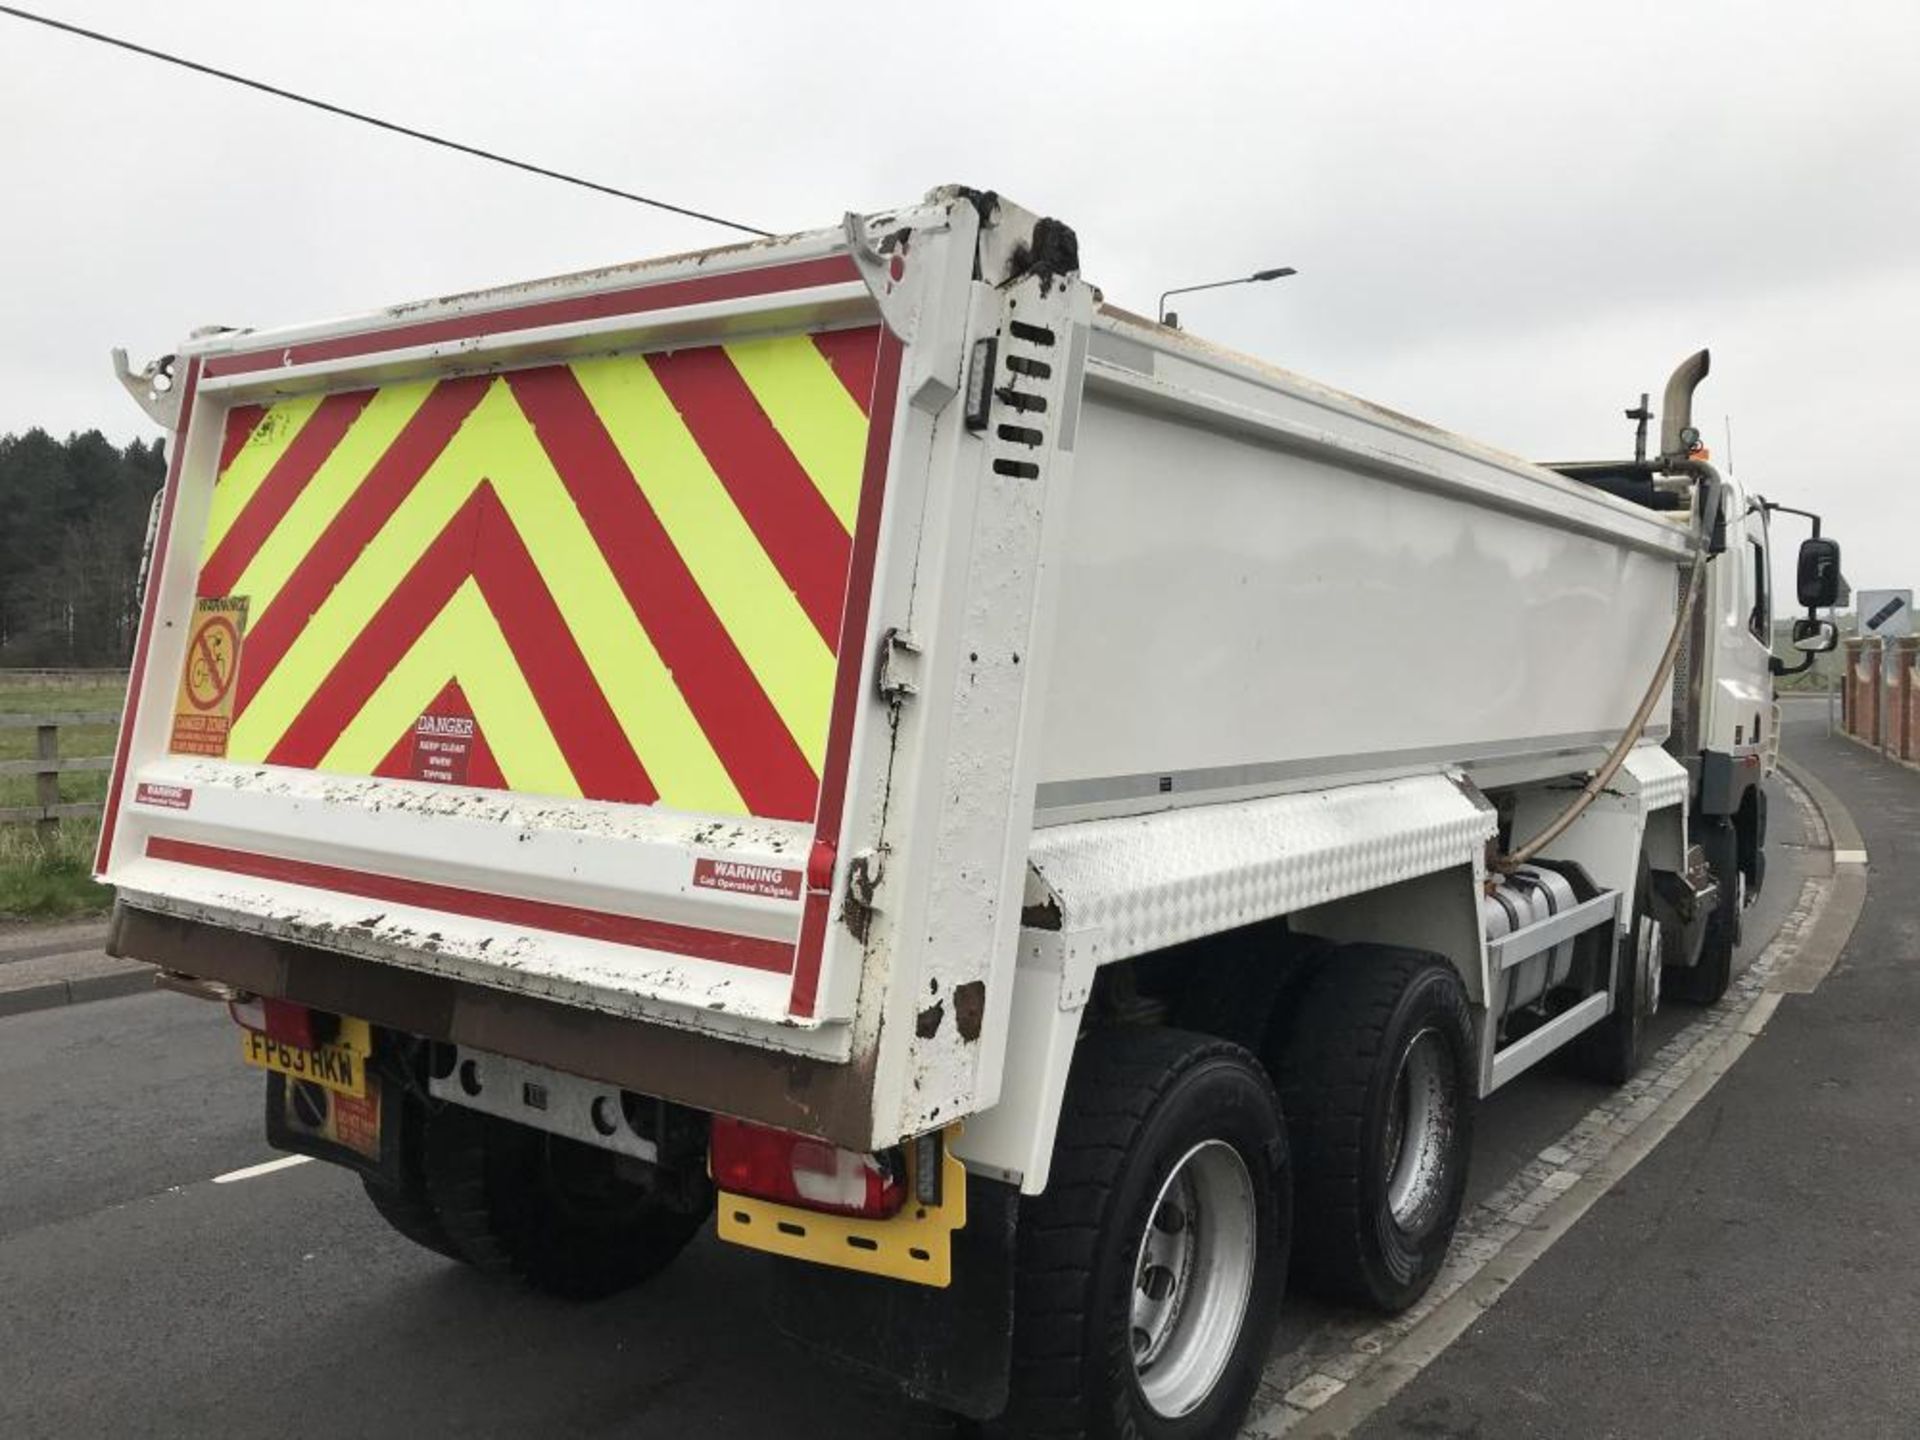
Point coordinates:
[(913, 1245)]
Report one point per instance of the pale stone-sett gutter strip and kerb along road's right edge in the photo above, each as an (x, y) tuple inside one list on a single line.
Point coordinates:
[(1349, 1368)]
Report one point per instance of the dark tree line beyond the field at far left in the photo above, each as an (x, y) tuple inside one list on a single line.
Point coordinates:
[(72, 527)]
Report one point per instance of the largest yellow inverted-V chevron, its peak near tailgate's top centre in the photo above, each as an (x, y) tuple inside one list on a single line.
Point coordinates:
[(498, 443)]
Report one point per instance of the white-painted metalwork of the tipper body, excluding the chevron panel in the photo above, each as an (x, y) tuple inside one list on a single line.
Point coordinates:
[(1216, 646)]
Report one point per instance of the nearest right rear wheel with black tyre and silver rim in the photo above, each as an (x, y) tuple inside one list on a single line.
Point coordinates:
[(1149, 1276)]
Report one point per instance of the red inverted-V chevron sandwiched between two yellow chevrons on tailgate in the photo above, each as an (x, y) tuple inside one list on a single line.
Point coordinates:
[(481, 542)]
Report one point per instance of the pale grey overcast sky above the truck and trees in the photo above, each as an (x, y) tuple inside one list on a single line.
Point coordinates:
[(1510, 218)]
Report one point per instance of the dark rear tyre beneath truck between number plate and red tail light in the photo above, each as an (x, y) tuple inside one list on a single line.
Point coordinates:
[(567, 1218)]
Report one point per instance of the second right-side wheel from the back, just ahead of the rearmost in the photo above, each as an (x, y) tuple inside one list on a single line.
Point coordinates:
[(1380, 1080)]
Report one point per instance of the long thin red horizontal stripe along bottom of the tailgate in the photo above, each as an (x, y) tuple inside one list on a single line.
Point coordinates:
[(748, 951)]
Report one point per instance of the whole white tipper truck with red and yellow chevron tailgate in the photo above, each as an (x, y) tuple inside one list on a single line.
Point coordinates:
[(1044, 827)]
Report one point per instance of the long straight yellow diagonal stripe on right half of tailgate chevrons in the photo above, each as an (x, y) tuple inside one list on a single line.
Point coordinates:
[(746, 590)]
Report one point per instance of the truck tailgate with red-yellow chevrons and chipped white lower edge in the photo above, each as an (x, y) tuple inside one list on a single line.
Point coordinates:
[(523, 642)]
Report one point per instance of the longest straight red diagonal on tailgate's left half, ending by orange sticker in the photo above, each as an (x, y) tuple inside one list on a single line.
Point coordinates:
[(372, 506)]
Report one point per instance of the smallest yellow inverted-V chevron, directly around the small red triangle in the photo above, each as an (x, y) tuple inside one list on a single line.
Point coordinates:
[(462, 644)]
